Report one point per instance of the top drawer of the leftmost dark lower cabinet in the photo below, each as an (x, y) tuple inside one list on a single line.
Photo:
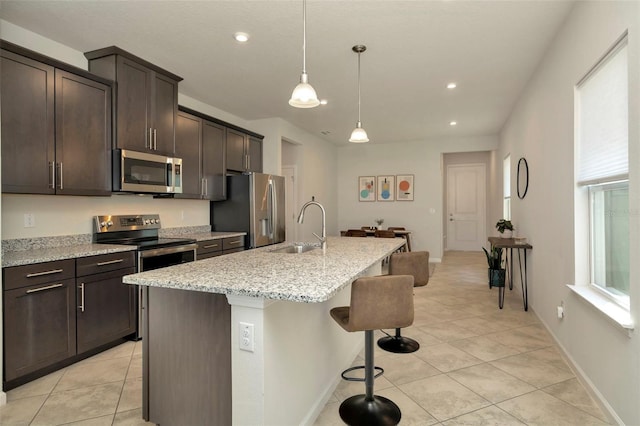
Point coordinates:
[(39, 273)]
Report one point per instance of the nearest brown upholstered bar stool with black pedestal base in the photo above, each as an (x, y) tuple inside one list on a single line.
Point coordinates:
[(376, 303)]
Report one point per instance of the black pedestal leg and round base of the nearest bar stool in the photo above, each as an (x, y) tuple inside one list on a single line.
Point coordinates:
[(369, 409)]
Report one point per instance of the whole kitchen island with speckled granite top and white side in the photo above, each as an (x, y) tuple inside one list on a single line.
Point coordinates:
[(196, 316)]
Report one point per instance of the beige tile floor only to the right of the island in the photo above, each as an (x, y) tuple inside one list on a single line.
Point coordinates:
[(477, 364)]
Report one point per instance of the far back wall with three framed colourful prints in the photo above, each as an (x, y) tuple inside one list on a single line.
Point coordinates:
[(423, 159)]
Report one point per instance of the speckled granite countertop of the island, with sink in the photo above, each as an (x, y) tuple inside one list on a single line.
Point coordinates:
[(309, 277)]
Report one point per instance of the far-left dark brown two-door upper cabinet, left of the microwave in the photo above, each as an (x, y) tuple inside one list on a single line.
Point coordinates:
[(56, 126)]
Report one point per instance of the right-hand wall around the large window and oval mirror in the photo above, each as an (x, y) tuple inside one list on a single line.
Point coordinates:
[(541, 129)]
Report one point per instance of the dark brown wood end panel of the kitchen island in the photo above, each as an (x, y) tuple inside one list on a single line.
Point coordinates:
[(187, 358)]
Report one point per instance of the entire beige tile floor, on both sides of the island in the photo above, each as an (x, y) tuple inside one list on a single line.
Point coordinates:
[(477, 365)]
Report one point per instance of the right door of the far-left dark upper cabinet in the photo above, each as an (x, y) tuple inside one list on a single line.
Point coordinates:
[(83, 136)]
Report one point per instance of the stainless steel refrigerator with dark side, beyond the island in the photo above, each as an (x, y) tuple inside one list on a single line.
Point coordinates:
[(255, 205)]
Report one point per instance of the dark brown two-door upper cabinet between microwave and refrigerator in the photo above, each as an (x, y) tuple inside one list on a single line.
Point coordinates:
[(201, 145)]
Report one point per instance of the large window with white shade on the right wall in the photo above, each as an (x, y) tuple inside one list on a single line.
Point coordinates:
[(602, 164)]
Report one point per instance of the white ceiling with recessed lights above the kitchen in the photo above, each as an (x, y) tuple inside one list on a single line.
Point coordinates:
[(414, 48)]
